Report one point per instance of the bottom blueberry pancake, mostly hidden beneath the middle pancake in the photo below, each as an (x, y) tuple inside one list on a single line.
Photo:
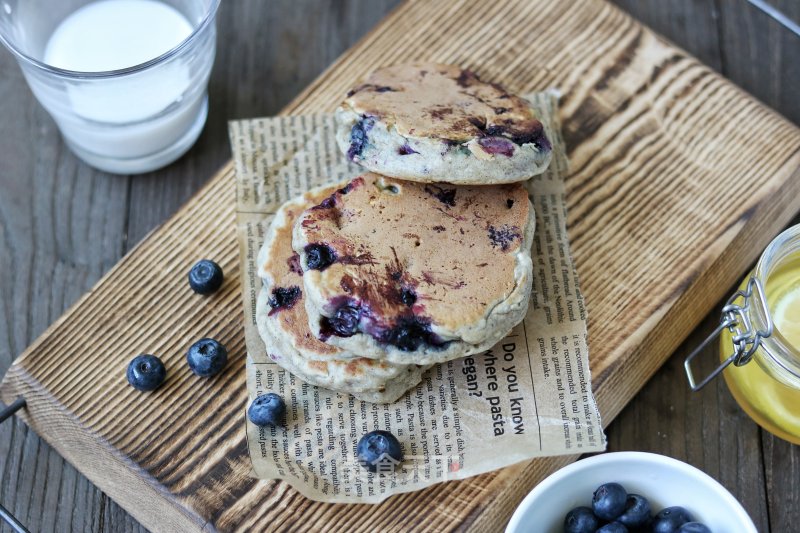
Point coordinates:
[(283, 324)]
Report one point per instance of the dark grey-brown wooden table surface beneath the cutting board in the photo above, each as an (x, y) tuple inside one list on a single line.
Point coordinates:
[(63, 224)]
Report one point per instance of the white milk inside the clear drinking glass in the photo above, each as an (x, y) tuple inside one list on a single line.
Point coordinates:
[(114, 122)]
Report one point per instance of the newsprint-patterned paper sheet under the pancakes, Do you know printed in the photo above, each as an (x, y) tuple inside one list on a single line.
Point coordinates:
[(529, 396)]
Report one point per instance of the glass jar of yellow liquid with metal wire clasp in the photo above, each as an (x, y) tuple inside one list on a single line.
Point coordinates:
[(760, 340)]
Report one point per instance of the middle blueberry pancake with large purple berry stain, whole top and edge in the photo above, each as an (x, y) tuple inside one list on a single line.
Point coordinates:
[(416, 273)]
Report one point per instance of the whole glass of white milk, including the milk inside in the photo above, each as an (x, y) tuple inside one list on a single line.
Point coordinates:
[(125, 80)]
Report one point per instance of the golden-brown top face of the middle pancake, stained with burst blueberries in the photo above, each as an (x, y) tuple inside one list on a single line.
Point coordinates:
[(436, 253)]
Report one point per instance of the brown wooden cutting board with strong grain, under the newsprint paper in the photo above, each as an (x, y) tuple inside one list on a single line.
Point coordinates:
[(678, 181)]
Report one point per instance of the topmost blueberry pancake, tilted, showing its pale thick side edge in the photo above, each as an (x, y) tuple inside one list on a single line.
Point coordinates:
[(434, 122)]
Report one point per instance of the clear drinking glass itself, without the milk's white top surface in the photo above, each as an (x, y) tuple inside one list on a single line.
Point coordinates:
[(125, 121)]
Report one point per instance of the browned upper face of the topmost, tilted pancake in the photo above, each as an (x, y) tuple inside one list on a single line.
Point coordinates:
[(445, 102)]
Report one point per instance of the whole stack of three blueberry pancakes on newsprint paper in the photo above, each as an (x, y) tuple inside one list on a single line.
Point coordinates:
[(422, 259)]
